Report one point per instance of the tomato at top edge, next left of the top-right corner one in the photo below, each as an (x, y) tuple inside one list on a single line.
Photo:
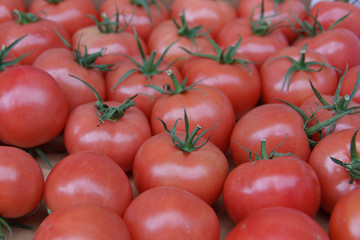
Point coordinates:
[(283, 12)]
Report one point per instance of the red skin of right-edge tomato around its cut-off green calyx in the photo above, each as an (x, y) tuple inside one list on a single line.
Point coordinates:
[(334, 179)]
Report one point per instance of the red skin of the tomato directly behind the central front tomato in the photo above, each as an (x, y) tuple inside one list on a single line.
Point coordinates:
[(206, 106)]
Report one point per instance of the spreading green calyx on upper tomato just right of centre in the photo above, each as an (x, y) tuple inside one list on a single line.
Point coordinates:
[(224, 56)]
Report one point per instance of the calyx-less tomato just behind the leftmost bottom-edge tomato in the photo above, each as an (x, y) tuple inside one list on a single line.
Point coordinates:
[(91, 178)]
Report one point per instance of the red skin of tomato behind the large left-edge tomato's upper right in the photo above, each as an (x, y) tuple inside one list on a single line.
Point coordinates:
[(76, 92)]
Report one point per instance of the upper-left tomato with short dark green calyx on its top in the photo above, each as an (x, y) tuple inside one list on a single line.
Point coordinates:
[(40, 35)]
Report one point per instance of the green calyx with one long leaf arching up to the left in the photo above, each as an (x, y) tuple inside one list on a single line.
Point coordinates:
[(106, 113)]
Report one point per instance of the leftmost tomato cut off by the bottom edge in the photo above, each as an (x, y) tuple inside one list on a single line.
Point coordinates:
[(83, 221)]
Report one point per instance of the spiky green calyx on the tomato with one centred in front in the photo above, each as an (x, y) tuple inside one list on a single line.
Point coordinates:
[(188, 145)]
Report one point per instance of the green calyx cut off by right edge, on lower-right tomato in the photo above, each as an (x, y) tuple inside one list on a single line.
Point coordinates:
[(354, 166)]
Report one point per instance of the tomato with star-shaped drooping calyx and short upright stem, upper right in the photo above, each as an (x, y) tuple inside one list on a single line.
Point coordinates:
[(284, 79)]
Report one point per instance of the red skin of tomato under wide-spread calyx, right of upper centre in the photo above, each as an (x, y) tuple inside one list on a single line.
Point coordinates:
[(241, 86)]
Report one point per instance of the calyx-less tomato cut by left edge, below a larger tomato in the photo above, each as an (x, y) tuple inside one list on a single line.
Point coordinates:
[(20, 171)]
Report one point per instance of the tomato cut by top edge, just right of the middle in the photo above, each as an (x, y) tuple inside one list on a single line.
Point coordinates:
[(212, 15)]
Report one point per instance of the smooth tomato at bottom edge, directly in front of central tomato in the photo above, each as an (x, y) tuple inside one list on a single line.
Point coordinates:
[(171, 213)]
